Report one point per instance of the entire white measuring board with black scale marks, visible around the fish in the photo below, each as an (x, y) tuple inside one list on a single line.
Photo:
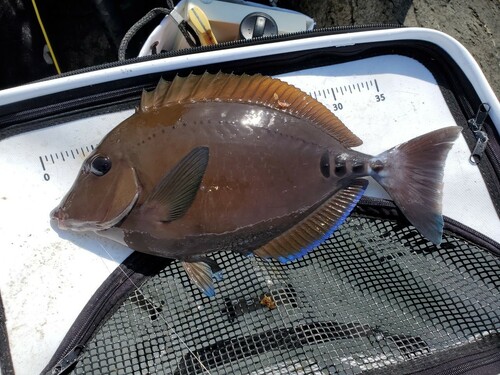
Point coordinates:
[(47, 275)]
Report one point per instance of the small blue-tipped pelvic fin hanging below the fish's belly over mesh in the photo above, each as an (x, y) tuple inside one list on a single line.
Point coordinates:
[(202, 271)]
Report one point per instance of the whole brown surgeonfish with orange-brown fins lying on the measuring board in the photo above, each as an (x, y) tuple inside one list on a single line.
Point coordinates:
[(242, 163)]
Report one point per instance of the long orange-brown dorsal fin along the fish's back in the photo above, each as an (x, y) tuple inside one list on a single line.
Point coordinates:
[(258, 89)]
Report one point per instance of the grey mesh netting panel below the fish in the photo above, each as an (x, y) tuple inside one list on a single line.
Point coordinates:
[(373, 295)]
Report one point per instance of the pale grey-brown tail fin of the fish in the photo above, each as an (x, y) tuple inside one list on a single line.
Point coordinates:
[(412, 174)]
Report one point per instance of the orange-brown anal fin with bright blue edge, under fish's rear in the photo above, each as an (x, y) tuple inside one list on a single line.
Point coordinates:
[(317, 227)]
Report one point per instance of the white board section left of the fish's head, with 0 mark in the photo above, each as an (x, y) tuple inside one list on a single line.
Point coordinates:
[(46, 280)]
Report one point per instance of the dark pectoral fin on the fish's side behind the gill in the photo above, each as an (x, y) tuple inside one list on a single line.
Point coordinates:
[(175, 193)]
